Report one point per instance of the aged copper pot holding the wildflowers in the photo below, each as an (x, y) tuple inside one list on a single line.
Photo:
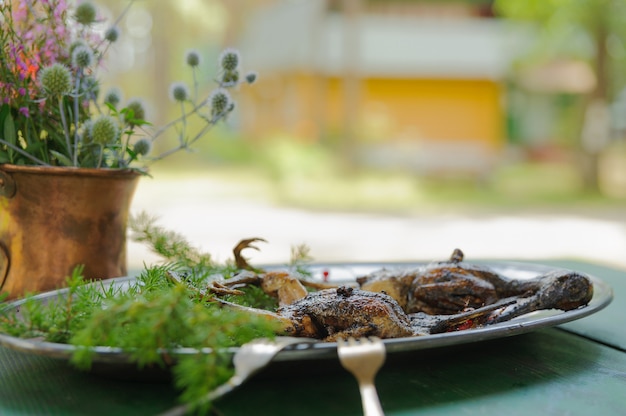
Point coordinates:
[(54, 218)]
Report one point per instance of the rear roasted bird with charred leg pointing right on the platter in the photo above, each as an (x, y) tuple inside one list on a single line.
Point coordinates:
[(453, 286)]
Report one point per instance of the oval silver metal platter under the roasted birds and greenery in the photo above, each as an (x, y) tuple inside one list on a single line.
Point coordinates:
[(344, 273)]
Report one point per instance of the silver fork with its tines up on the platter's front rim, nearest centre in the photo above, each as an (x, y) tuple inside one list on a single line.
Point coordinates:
[(363, 358)]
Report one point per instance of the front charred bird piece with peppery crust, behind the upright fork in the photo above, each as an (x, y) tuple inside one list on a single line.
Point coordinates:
[(331, 314)]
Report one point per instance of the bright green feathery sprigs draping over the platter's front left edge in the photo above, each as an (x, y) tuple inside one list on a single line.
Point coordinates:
[(150, 319)]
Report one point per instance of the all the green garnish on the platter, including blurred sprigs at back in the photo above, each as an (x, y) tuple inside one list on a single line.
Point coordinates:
[(152, 317)]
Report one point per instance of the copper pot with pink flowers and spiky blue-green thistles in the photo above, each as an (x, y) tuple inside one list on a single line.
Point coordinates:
[(71, 156)]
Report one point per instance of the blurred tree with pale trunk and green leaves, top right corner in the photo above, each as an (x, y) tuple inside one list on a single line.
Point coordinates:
[(589, 30)]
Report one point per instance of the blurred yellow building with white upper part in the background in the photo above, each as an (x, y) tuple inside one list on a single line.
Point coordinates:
[(420, 92)]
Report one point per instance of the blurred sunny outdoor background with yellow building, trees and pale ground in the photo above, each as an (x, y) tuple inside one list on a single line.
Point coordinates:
[(391, 130)]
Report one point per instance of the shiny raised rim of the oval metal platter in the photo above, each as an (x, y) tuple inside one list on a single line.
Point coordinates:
[(602, 297)]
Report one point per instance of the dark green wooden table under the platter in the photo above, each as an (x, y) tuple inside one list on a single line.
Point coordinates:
[(576, 369)]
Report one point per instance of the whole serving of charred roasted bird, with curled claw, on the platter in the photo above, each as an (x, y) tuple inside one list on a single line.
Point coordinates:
[(440, 297)]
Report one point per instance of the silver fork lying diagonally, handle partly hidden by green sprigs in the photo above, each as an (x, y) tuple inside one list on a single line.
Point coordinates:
[(248, 360)]
